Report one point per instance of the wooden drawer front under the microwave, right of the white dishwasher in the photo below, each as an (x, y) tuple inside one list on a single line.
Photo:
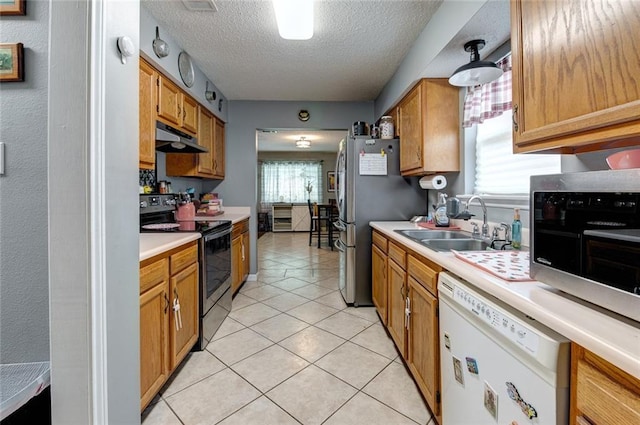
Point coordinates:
[(597, 394)]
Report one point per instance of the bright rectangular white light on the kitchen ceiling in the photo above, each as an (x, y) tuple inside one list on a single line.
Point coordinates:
[(294, 18)]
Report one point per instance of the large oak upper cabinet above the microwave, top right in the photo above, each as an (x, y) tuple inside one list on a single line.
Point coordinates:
[(576, 68)]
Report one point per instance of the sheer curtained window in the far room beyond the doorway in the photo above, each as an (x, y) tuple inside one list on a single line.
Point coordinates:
[(290, 181)]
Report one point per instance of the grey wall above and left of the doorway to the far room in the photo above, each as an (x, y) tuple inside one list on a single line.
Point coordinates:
[(239, 187)]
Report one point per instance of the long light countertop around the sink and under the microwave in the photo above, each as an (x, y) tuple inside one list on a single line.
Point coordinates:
[(612, 337)]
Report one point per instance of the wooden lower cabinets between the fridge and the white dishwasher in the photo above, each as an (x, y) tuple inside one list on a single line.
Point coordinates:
[(408, 294)]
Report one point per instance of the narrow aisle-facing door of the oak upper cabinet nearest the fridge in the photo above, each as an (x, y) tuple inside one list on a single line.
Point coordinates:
[(410, 117)]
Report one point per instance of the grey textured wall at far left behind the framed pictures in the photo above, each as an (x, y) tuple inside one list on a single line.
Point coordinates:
[(24, 286)]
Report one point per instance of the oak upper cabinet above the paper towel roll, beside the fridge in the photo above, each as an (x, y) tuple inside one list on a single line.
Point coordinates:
[(428, 122)]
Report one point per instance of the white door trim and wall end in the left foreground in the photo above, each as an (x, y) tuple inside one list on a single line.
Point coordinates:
[(94, 242)]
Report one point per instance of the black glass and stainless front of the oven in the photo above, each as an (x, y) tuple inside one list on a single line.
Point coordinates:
[(215, 281)]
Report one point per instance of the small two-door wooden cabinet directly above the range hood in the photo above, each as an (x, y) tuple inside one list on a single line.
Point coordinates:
[(175, 107)]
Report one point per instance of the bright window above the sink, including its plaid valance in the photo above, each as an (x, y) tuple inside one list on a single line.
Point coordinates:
[(498, 171)]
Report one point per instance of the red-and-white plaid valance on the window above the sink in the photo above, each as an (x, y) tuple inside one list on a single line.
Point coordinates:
[(491, 99)]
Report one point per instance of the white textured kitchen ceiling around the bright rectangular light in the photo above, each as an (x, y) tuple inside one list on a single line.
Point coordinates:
[(355, 49)]
